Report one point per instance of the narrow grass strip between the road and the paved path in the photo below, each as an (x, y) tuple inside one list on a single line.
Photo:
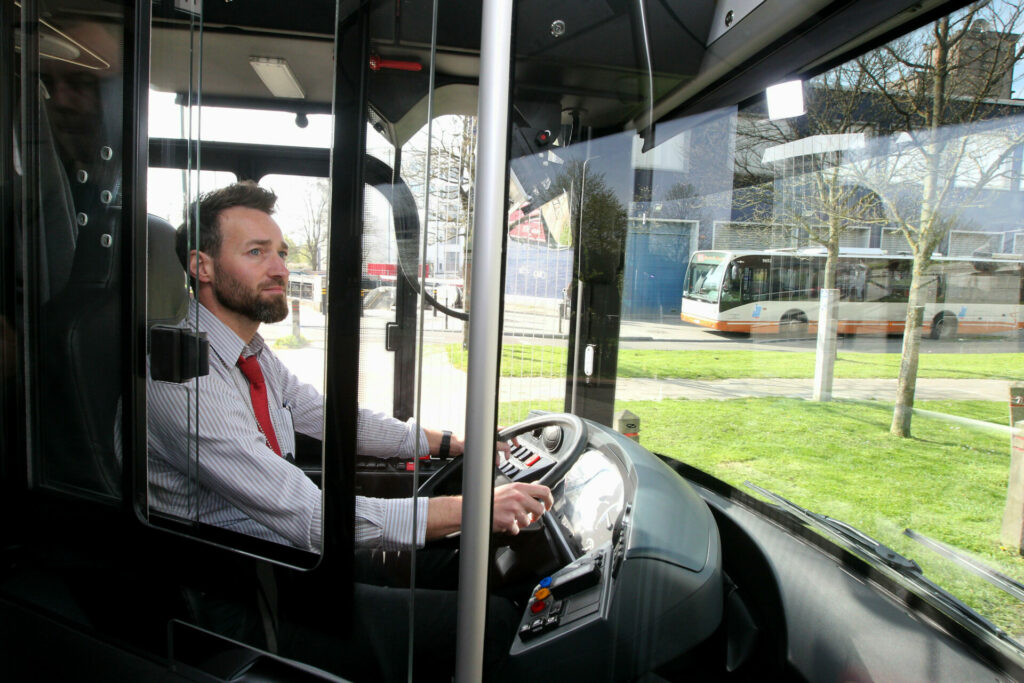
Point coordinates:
[(537, 360)]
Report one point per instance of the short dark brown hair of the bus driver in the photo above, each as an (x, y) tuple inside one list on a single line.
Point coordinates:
[(208, 209)]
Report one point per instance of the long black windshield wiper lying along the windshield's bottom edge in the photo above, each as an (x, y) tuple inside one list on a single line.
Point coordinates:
[(875, 550)]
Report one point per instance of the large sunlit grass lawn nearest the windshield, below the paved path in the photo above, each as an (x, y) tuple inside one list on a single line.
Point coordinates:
[(949, 482)]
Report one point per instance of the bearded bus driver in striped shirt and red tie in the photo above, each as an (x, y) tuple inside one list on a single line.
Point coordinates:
[(228, 463)]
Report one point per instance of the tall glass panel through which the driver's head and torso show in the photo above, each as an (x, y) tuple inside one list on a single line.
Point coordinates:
[(245, 280)]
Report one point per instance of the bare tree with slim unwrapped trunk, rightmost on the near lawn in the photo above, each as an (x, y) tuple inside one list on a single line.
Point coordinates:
[(952, 137)]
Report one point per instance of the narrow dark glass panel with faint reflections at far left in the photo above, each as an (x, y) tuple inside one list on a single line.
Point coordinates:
[(69, 159)]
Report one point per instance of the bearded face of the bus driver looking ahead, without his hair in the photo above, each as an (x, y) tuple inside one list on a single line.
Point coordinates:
[(250, 276)]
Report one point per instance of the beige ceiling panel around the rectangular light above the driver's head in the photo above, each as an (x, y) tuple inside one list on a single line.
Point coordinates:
[(228, 73)]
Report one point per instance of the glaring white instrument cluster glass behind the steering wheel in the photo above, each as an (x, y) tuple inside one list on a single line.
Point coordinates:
[(590, 501)]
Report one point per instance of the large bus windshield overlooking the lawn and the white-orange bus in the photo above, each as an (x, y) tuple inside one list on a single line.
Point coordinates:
[(747, 392)]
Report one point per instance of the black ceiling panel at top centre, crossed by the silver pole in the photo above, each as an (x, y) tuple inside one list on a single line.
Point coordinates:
[(583, 57)]
